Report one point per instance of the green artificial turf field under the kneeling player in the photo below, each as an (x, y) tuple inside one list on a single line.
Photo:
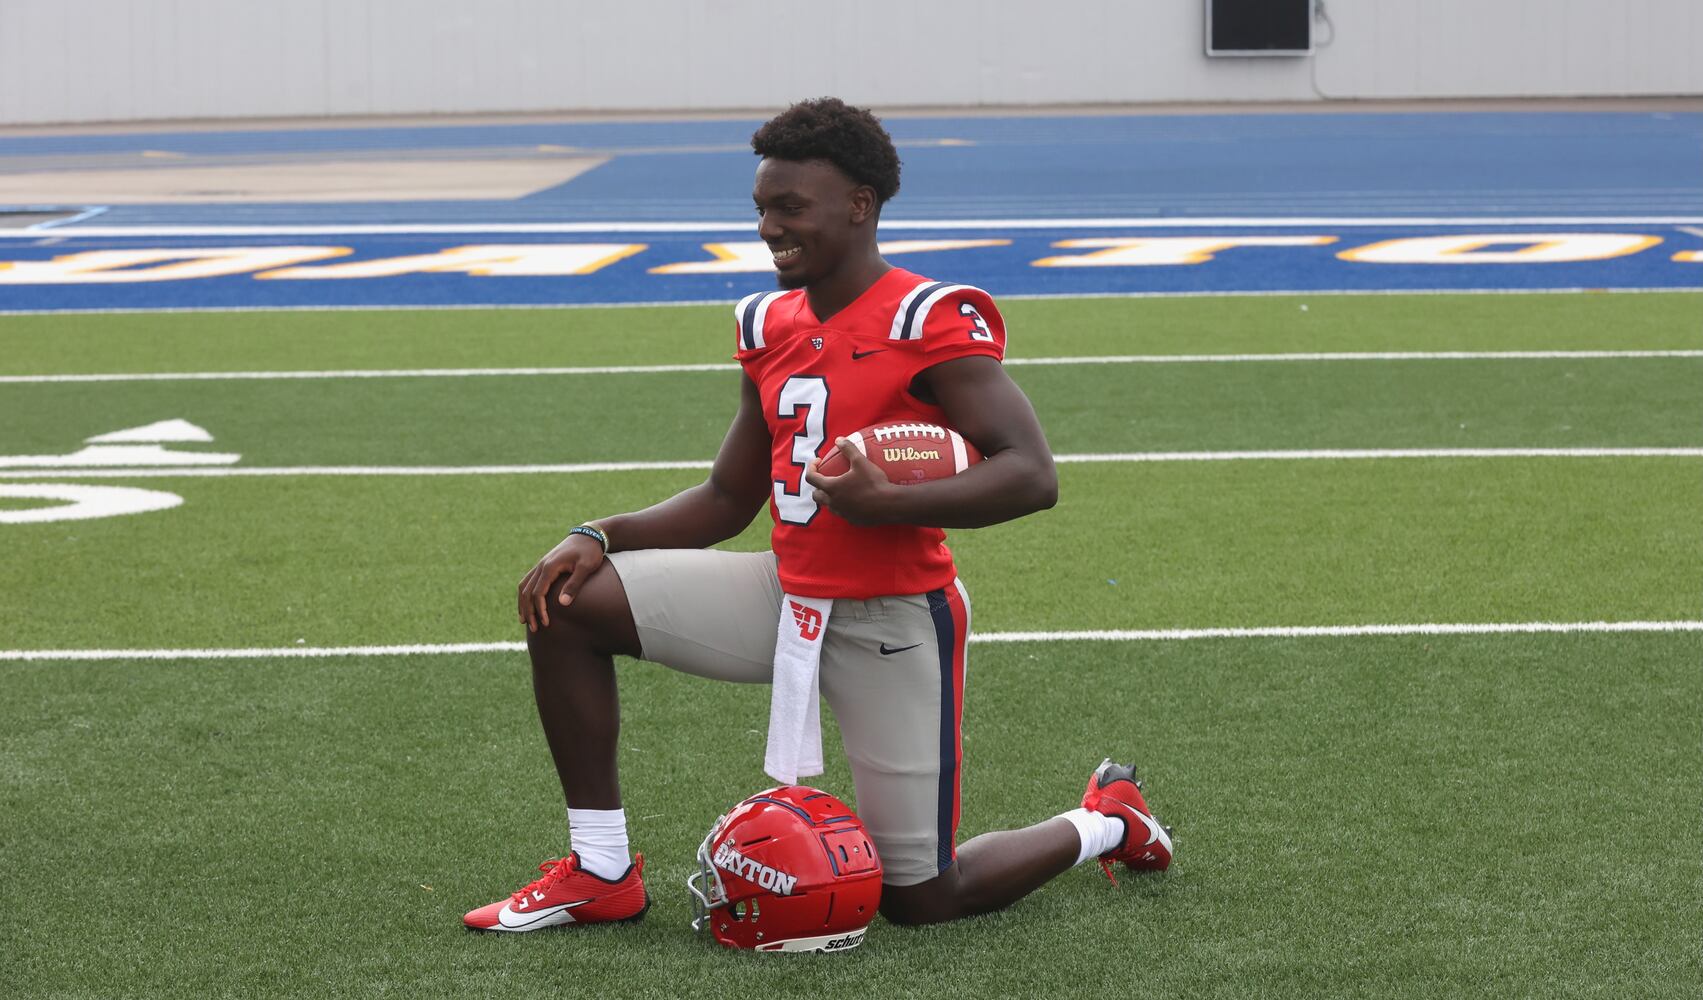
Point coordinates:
[(1356, 817)]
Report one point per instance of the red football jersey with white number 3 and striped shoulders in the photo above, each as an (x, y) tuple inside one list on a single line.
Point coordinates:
[(823, 381)]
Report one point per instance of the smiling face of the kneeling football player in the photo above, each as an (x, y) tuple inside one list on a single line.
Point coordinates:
[(813, 219)]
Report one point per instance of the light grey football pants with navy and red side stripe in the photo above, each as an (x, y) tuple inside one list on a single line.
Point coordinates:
[(892, 670)]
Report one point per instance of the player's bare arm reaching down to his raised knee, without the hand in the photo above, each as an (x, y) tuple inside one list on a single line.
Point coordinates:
[(718, 509)]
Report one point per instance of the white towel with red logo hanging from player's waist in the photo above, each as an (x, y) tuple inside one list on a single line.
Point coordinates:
[(794, 710)]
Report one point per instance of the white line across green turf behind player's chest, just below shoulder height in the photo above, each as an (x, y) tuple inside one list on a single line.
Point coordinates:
[(731, 367)]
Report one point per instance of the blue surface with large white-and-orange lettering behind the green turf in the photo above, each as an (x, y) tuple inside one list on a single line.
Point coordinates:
[(1469, 202)]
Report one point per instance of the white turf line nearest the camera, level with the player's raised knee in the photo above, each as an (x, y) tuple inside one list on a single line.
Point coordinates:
[(1099, 636)]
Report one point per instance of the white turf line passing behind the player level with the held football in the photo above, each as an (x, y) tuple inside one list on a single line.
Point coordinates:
[(593, 468)]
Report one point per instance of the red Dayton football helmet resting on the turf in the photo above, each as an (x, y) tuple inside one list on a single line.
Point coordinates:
[(788, 870)]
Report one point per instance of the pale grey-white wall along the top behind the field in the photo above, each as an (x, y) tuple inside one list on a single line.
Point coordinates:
[(135, 60)]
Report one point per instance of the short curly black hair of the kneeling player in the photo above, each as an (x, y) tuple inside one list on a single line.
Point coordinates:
[(832, 130)]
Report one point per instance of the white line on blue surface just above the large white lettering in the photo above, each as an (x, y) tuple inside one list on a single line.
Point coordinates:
[(922, 226)]
